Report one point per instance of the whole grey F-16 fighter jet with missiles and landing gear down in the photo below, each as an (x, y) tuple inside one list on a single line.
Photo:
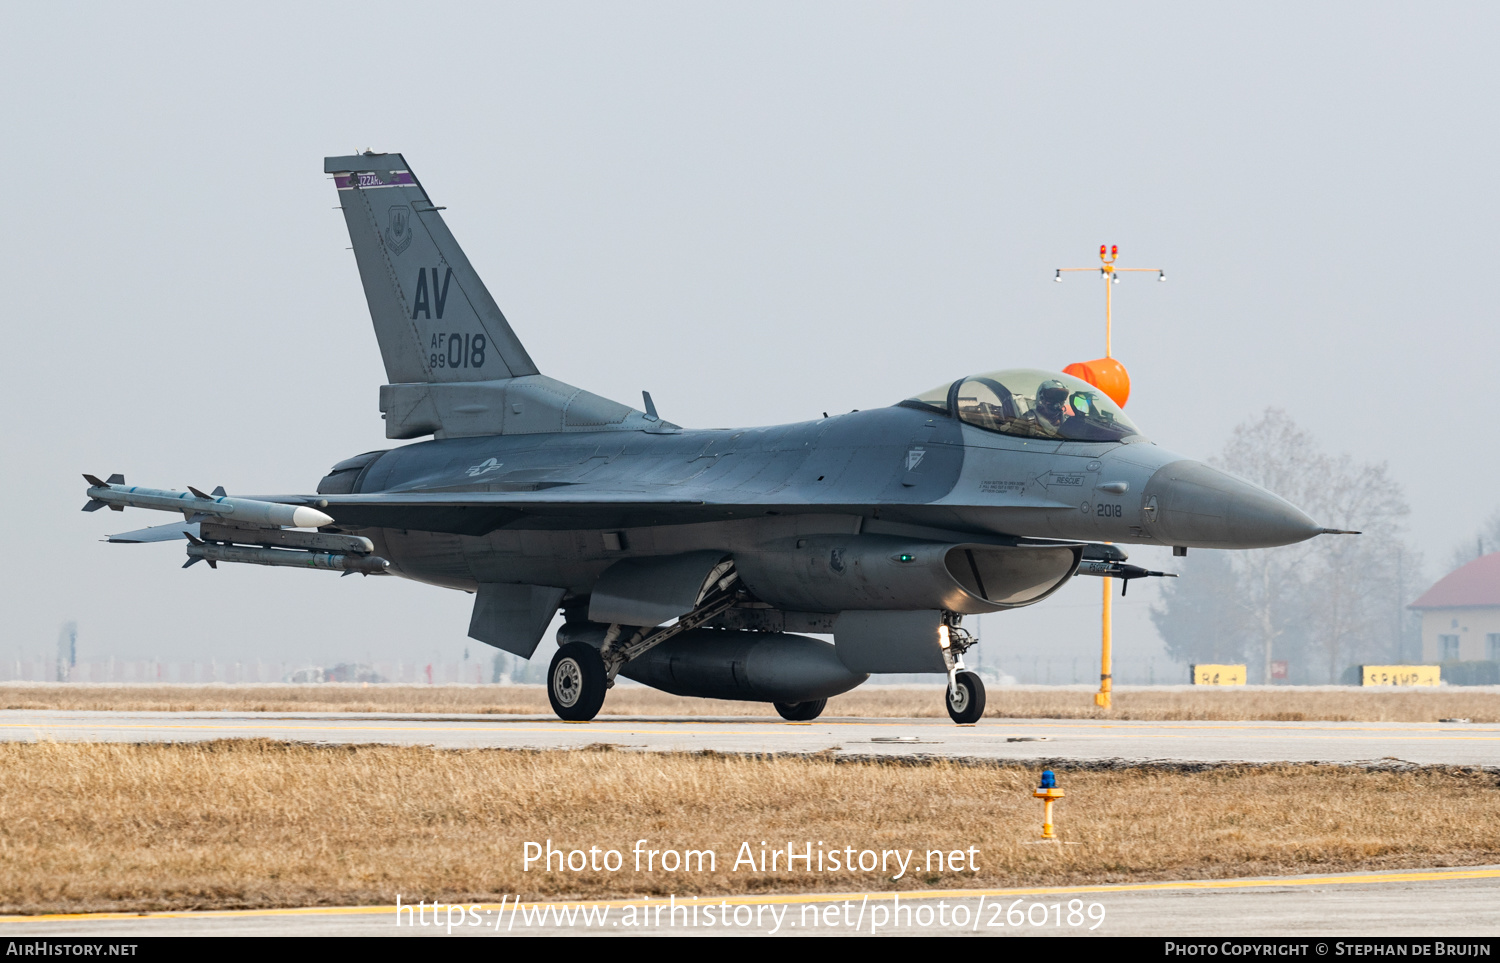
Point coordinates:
[(694, 560)]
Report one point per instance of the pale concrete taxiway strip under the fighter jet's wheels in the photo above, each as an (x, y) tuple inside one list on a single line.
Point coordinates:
[(994, 739)]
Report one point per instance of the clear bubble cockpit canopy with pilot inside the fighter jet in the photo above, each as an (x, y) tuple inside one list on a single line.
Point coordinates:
[(1031, 404)]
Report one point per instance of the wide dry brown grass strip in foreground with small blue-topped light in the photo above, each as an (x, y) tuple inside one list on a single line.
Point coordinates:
[(244, 824)]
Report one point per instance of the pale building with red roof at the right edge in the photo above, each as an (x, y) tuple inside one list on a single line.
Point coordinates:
[(1462, 614)]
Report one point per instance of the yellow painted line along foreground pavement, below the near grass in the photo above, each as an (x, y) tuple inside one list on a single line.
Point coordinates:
[(815, 898)]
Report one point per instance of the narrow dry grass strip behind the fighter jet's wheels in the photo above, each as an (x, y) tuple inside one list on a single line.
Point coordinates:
[(1283, 704)]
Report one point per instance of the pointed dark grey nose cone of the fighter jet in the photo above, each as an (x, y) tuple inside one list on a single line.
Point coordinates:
[(1189, 503)]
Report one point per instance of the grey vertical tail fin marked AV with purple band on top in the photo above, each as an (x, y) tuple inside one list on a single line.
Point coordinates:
[(434, 319)]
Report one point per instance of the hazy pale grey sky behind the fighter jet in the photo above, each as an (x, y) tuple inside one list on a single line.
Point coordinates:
[(758, 212)]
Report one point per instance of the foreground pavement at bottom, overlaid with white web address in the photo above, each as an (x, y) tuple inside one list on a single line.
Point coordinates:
[(1351, 908)]
